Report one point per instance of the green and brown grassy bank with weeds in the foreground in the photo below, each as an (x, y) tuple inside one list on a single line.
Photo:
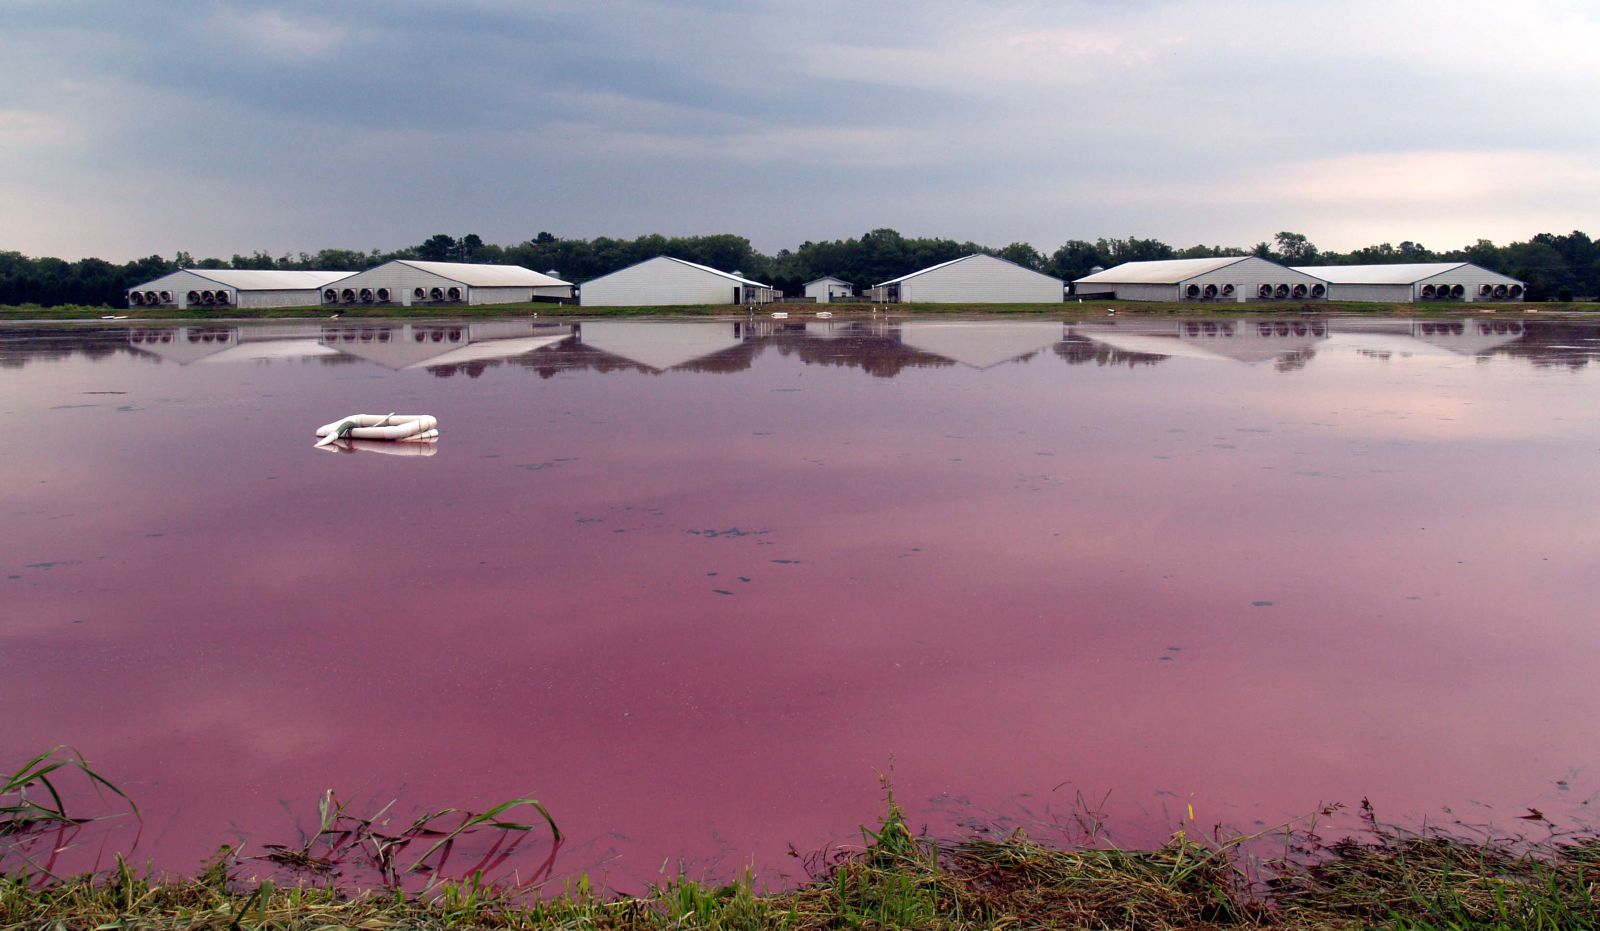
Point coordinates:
[(895, 879)]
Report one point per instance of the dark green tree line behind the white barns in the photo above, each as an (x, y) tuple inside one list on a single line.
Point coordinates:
[(1556, 266)]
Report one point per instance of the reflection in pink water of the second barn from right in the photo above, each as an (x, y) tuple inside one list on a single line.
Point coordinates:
[(1249, 342)]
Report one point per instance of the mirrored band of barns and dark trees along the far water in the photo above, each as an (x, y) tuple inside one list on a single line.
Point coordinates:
[(882, 348)]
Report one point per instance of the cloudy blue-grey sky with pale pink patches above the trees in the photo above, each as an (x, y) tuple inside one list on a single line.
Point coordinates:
[(222, 127)]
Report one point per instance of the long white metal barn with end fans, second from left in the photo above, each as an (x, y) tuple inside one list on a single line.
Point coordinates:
[(410, 282)]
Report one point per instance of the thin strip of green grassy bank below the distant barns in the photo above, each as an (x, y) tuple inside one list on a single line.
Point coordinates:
[(841, 311)]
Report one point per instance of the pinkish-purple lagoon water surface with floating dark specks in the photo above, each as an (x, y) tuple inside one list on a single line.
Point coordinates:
[(695, 585)]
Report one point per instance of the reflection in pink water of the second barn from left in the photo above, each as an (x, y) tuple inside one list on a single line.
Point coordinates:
[(436, 345)]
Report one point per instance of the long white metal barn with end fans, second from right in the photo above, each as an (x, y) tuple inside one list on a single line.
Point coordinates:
[(1220, 279)]
